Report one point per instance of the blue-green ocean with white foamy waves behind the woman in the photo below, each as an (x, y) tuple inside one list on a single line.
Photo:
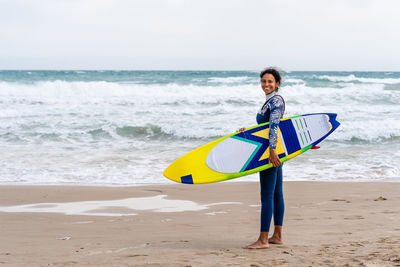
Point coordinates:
[(120, 128)]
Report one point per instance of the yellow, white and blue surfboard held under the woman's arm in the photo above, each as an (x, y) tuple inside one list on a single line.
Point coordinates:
[(241, 154)]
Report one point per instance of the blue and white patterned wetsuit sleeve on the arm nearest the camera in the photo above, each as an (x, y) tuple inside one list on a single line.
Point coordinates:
[(277, 107)]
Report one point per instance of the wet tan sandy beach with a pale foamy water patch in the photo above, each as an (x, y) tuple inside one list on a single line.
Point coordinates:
[(325, 224)]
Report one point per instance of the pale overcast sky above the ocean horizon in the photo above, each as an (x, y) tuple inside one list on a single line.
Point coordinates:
[(340, 35)]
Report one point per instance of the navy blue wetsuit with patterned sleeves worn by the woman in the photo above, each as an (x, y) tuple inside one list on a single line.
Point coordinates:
[(271, 179)]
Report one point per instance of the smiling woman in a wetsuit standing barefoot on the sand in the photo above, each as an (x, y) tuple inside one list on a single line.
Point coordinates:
[(272, 202)]
